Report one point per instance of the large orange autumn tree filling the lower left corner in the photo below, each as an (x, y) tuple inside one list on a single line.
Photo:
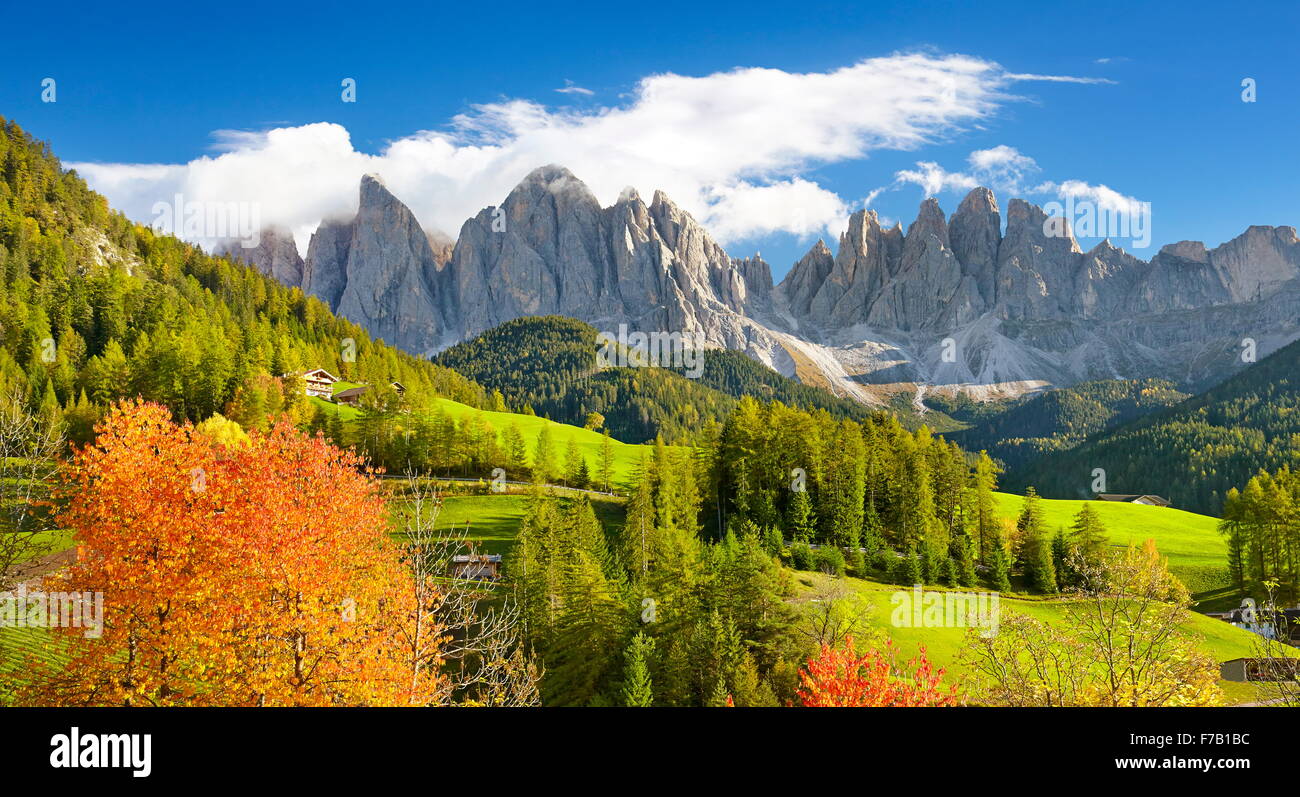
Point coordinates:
[(254, 575)]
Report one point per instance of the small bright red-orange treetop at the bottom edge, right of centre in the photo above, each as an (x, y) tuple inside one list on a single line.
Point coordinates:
[(840, 677)]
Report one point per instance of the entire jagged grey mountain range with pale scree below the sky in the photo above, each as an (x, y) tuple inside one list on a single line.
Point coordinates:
[(964, 305)]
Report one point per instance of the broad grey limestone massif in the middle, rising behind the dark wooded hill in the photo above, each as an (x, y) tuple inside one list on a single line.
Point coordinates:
[(553, 249)]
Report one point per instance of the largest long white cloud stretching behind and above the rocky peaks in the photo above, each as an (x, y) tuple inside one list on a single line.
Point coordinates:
[(734, 149)]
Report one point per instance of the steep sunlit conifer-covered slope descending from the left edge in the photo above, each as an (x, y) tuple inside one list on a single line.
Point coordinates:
[(94, 309)]
